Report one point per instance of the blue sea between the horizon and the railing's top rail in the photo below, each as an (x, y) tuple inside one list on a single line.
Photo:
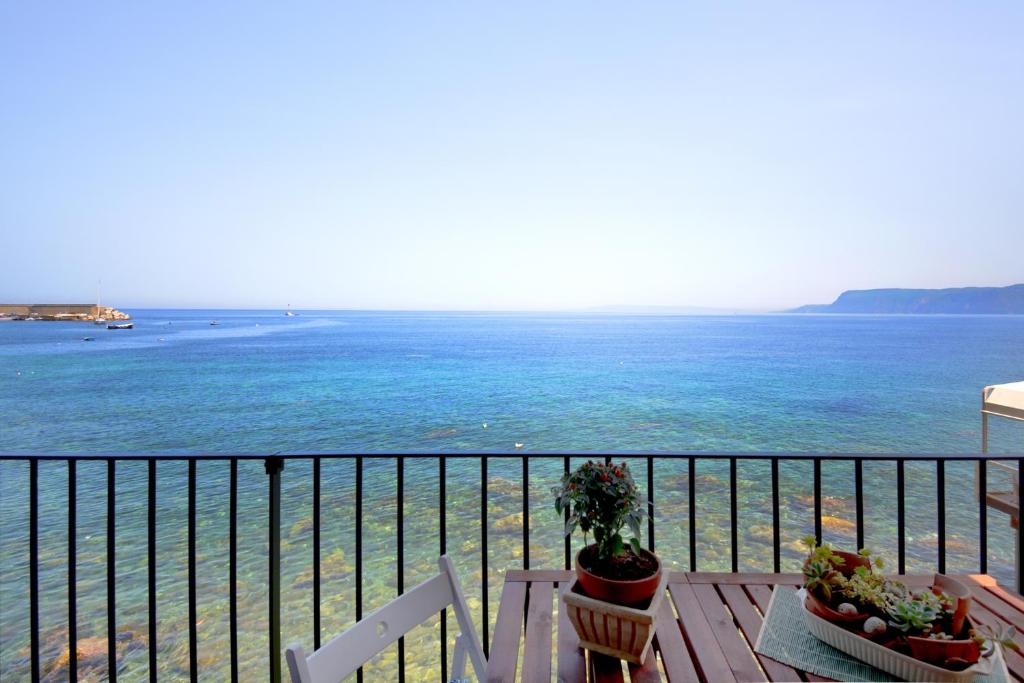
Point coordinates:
[(328, 381)]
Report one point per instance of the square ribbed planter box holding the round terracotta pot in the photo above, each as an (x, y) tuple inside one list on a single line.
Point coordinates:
[(615, 630)]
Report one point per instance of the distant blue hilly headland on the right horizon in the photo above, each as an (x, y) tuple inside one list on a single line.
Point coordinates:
[(1006, 301)]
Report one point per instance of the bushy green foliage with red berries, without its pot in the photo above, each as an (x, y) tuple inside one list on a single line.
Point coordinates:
[(604, 499)]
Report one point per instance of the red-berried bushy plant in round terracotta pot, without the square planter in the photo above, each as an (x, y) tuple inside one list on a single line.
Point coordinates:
[(603, 500)]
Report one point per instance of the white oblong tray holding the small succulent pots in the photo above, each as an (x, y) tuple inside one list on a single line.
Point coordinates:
[(901, 666)]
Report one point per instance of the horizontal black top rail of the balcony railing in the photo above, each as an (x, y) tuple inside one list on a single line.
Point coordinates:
[(702, 455)]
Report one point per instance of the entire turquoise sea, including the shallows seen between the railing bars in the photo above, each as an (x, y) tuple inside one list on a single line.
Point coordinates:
[(260, 382)]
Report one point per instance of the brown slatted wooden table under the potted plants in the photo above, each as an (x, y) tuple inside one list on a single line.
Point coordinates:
[(706, 630)]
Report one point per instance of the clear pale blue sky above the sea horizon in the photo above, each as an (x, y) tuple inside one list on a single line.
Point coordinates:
[(498, 156)]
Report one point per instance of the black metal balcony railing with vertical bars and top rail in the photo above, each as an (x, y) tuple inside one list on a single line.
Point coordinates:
[(276, 464)]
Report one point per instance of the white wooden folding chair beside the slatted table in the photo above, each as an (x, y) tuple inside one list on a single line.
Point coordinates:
[(346, 654)]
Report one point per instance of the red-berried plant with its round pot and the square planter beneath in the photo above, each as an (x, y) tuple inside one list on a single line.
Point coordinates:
[(619, 585)]
